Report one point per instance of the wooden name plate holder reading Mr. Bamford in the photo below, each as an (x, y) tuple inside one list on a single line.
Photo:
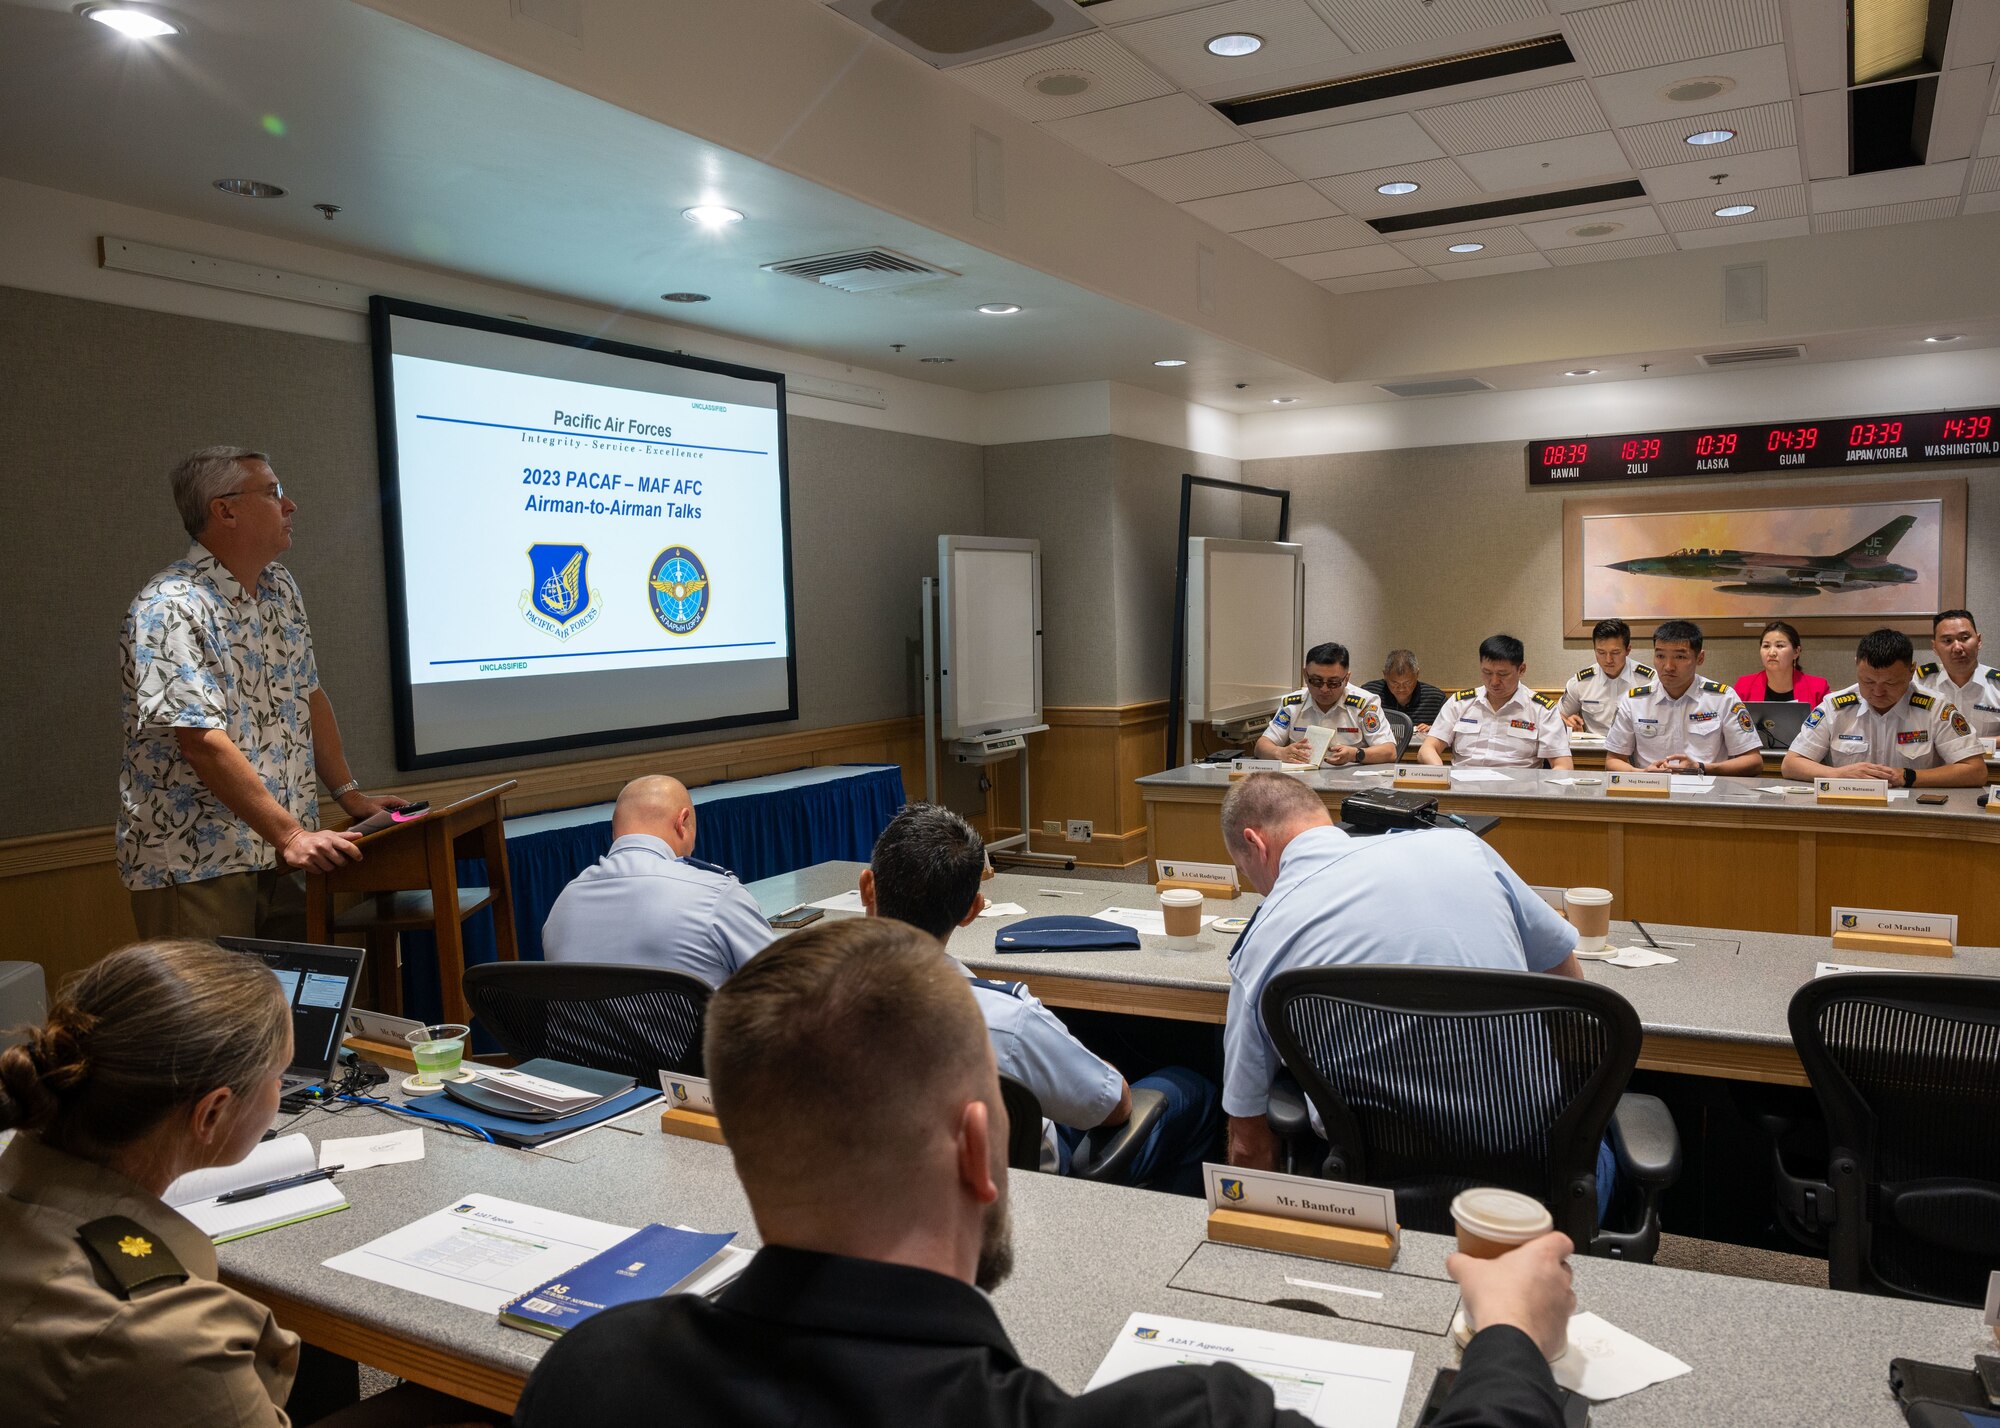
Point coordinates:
[(1299, 1215)]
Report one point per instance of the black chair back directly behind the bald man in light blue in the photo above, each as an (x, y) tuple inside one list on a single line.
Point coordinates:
[(633, 1021)]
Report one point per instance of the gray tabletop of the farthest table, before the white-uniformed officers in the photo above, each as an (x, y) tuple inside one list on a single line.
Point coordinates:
[(1961, 805)]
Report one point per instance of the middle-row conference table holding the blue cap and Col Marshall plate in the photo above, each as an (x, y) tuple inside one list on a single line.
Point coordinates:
[(1717, 1011)]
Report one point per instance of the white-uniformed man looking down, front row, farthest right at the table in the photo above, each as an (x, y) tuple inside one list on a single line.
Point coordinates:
[(1885, 727)]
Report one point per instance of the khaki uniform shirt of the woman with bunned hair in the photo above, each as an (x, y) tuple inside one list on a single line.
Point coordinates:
[(77, 1353)]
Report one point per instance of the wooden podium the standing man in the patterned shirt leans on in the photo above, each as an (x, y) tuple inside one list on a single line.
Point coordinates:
[(409, 875)]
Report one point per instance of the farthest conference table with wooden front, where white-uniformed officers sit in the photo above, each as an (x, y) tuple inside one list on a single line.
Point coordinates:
[(1735, 855)]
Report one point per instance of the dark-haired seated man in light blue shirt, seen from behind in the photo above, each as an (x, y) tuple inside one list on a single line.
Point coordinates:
[(927, 871)]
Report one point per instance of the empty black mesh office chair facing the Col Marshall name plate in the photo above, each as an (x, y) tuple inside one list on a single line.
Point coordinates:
[(1907, 1069)]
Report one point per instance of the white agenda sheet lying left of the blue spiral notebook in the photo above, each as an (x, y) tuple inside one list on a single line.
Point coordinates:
[(481, 1253)]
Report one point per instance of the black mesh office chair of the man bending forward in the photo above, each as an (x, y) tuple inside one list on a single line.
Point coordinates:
[(1433, 1081)]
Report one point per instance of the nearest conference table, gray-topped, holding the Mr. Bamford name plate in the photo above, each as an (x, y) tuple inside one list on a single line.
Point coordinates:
[(1087, 1257)]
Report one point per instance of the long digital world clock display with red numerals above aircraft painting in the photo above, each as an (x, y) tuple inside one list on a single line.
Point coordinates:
[(1769, 447)]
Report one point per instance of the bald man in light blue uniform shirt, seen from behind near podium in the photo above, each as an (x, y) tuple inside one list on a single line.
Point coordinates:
[(649, 903)]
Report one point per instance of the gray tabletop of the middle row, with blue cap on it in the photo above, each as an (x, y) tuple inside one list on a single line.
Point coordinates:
[(1731, 987)]
